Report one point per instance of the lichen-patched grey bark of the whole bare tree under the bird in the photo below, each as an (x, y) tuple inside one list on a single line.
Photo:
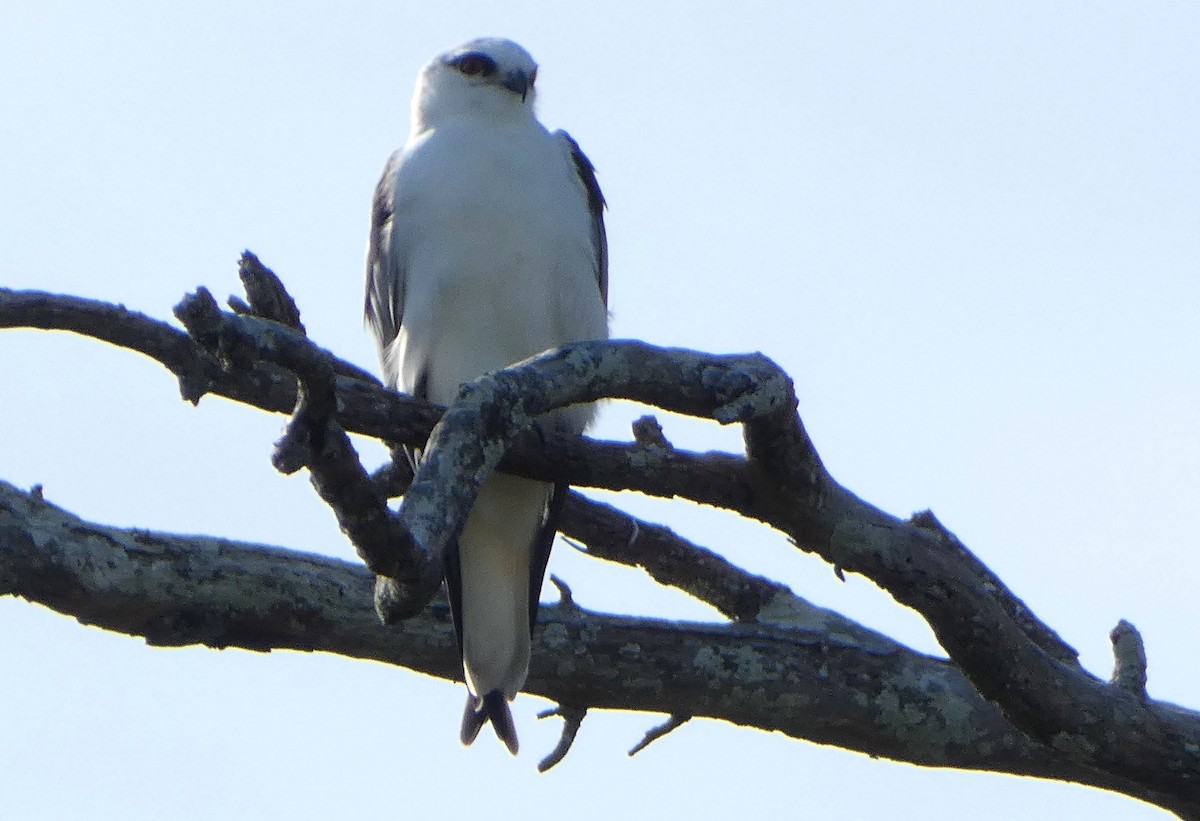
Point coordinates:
[(1012, 698)]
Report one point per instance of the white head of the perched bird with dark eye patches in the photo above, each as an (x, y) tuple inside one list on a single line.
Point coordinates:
[(490, 75)]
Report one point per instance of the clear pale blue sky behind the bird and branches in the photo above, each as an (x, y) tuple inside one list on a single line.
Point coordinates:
[(970, 232)]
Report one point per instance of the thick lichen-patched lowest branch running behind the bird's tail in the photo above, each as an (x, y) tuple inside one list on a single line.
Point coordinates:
[(883, 700)]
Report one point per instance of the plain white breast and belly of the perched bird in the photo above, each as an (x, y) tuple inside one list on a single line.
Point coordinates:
[(493, 230)]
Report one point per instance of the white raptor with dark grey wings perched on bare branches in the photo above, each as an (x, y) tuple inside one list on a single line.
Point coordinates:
[(488, 247)]
